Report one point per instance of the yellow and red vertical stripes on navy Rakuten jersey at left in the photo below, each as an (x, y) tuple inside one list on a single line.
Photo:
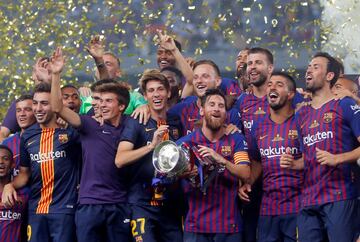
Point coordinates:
[(47, 171)]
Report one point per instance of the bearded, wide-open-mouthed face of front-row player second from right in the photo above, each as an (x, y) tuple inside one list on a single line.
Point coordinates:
[(277, 92)]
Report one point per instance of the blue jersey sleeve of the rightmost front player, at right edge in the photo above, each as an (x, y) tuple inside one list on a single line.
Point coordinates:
[(351, 113)]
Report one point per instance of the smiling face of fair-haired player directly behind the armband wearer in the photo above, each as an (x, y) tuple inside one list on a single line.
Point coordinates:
[(205, 78)]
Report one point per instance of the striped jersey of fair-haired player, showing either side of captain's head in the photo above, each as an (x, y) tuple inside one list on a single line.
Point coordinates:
[(189, 114)]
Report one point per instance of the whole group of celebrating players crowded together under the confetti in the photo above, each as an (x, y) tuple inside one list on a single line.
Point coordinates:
[(79, 163)]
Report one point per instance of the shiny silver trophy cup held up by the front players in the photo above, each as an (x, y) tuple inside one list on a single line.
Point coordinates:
[(170, 159)]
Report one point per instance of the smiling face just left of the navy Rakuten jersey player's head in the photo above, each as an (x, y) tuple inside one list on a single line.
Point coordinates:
[(24, 113)]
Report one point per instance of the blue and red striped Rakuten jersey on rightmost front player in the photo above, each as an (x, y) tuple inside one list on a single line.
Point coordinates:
[(335, 128)]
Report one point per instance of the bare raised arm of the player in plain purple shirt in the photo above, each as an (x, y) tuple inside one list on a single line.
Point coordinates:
[(56, 65)]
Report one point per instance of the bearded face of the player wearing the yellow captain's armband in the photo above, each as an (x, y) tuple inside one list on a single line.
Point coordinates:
[(214, 112)]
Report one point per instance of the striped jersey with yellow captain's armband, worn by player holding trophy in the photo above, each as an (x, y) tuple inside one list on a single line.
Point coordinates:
[(217, 210)]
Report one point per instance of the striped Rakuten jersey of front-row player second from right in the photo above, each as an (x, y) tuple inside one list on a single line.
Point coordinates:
[(281, 187)]
